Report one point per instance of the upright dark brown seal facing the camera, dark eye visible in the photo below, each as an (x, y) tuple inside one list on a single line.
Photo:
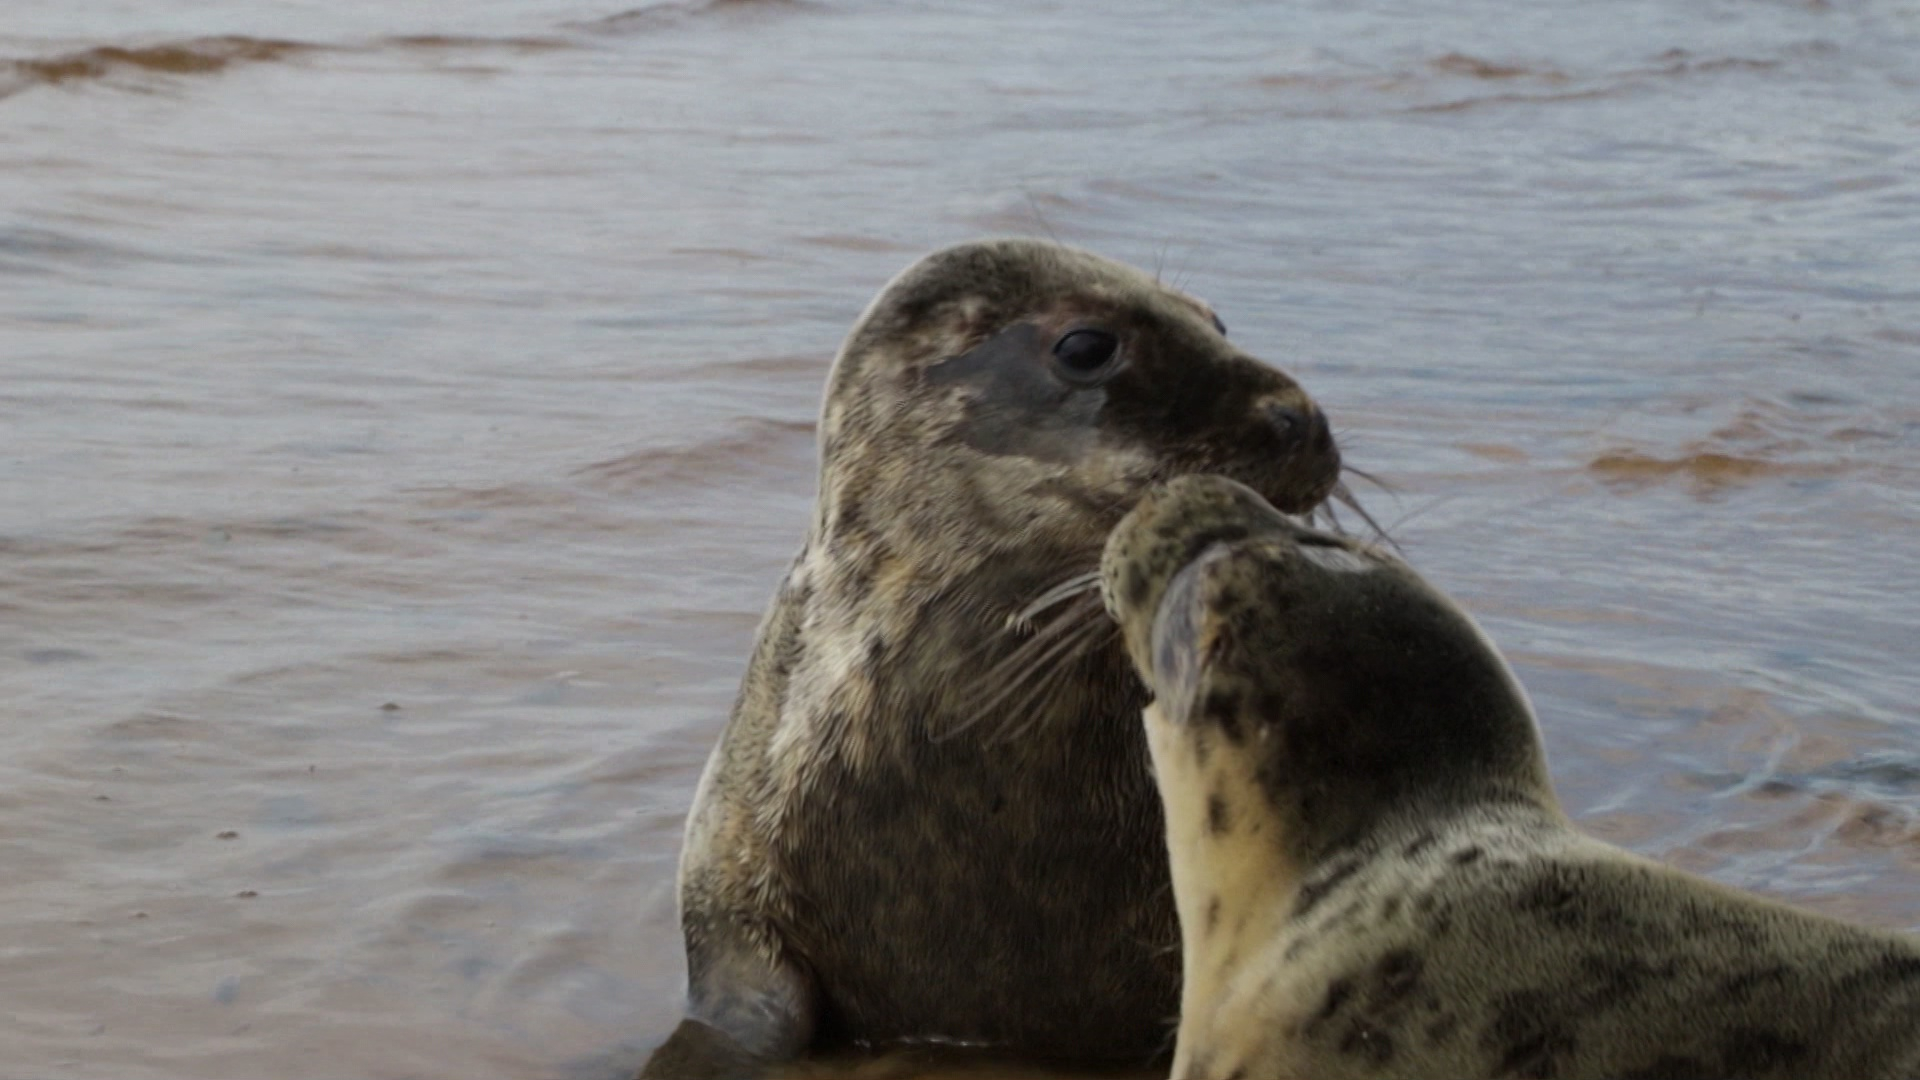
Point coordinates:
[(882, 852)]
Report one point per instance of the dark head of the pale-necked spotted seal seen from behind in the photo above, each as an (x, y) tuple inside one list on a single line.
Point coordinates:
[(1351, 687)]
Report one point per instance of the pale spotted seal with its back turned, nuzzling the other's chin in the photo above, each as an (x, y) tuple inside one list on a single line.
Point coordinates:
[(1376, 877)]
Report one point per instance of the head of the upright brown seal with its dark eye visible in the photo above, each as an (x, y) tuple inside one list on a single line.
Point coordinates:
[(1015, 397)]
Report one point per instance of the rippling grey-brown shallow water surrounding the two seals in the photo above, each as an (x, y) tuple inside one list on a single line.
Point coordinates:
[(408, 412)]
